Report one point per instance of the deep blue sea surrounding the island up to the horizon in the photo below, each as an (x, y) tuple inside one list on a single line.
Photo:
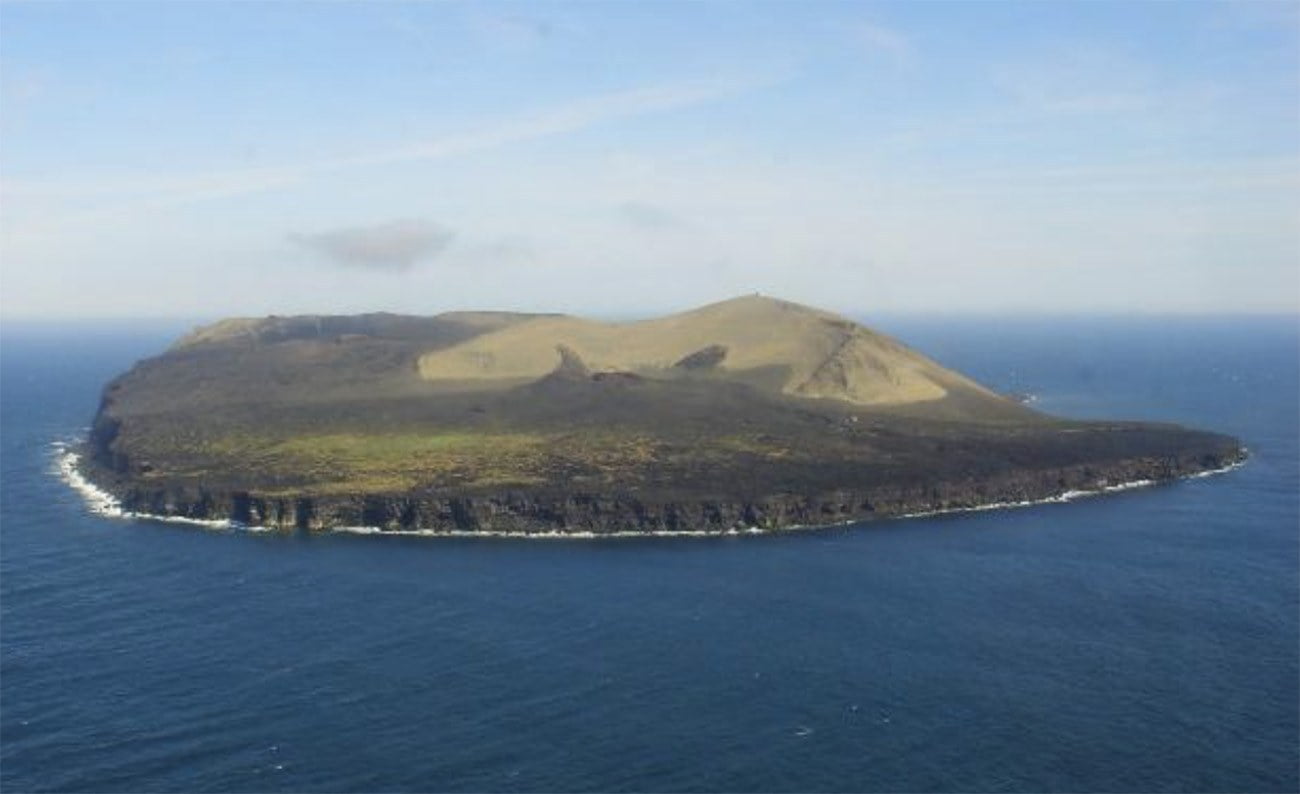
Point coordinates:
[(1142, 641)]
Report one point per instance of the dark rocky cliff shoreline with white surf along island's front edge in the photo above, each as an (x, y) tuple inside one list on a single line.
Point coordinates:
[(549, 513)]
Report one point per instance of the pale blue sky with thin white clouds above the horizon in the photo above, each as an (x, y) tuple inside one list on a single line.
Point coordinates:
[(209, 159)]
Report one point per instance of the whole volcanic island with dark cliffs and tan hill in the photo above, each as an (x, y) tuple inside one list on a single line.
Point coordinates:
[(747, 415)]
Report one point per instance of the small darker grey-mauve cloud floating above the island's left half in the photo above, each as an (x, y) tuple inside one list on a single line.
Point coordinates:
[(395, 246)]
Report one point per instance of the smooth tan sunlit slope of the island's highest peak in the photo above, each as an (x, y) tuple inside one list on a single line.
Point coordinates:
[(792, 349)]
